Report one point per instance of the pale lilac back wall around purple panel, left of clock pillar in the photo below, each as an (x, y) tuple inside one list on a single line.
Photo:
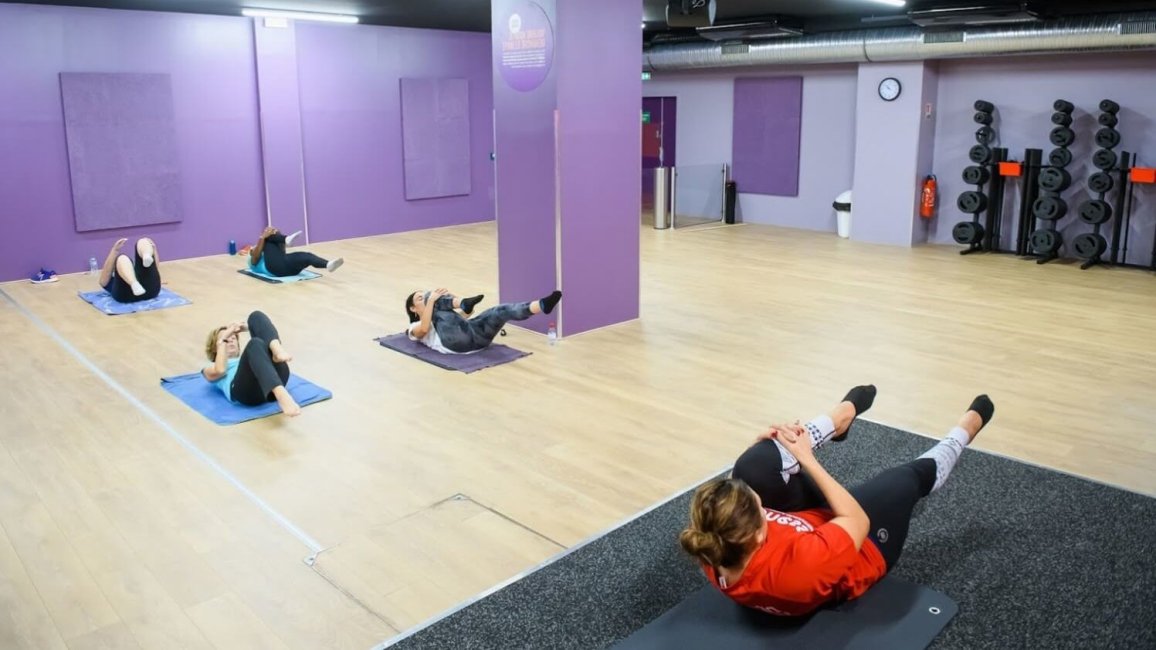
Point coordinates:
[(827, 150)]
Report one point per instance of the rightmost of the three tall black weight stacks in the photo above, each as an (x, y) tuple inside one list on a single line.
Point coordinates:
[(1092, 247)]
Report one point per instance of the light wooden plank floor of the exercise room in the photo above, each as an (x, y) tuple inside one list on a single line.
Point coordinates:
[(123, 518)]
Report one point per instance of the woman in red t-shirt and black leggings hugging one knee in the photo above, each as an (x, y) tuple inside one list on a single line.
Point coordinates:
[(788, 542)]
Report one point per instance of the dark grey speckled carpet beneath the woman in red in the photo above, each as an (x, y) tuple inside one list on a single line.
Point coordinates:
[(1034, 559)]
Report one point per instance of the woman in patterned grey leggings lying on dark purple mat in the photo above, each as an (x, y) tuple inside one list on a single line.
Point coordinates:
[(435, 322)]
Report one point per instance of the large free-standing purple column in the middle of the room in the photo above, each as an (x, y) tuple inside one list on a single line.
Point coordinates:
[(568, 134)]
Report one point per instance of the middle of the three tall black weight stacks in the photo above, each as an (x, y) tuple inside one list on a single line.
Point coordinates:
[(1054, 180)]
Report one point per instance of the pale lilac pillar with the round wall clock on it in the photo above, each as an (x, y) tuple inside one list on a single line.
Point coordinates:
[(887, 156)]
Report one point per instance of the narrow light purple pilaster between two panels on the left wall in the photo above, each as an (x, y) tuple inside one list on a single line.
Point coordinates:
[(281, 139)]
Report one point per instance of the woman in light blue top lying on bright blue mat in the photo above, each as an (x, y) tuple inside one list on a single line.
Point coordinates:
[(258, 374)]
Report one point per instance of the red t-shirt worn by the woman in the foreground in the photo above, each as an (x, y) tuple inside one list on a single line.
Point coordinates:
[(806, 563)]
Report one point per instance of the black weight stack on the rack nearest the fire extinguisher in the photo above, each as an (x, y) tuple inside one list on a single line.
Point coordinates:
[(975, 235)]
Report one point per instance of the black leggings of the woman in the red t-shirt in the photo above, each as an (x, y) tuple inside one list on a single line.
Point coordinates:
[(888, 499)]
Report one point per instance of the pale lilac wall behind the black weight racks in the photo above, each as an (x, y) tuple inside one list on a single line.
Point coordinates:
[(1024, 90)]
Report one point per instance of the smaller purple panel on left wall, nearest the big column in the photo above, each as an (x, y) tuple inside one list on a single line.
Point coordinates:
[(435, 125)]
